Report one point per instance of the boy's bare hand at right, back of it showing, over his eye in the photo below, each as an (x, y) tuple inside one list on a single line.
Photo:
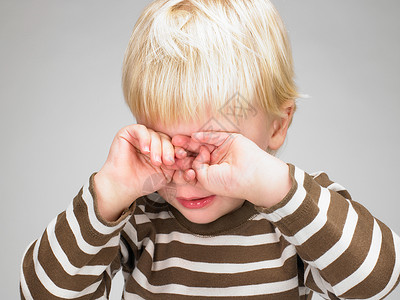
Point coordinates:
[(229, 164)]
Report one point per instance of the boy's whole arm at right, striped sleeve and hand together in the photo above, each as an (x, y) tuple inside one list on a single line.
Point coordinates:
[(347, 252)]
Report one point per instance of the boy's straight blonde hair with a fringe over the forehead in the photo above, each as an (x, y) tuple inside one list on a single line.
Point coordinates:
[(186, 58)]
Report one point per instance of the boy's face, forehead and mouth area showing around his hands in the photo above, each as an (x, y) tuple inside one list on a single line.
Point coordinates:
[(255, 128)]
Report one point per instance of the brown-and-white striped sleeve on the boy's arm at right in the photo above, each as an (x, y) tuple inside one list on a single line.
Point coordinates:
[(347, 253)]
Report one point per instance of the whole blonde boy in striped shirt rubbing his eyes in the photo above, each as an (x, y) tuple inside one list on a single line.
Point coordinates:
[(190, 202)]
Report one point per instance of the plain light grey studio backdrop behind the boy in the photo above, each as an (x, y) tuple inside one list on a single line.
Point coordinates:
[(62, 104)]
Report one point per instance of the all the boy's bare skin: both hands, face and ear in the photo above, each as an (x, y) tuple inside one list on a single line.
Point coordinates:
[(230, 162)]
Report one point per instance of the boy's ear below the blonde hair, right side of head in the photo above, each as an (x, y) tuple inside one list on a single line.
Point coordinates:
[(279, 126)]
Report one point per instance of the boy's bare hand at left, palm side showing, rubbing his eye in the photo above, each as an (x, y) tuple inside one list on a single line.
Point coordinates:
[(137, 154)]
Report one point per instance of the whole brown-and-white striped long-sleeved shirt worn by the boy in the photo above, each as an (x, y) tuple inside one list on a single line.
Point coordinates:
[(316, 243)]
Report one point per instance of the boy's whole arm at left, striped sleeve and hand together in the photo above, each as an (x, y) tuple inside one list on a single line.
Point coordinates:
[(79, 252)]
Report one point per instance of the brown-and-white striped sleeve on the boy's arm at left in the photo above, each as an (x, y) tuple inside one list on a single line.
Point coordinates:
[(77, 255)]
